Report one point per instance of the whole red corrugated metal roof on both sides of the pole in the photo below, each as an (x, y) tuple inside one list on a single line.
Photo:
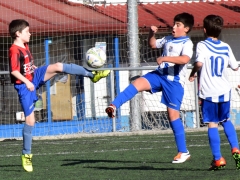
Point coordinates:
[(61, 16)]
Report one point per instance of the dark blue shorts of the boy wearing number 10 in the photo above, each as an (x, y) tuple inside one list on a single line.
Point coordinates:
[(215, 112)]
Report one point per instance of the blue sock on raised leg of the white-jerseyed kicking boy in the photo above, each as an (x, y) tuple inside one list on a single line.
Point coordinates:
[(125, 96)]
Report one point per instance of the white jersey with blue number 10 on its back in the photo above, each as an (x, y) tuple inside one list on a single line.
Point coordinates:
[(216, 56)]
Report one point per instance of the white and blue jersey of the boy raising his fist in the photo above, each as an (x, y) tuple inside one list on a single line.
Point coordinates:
[(175, 47)]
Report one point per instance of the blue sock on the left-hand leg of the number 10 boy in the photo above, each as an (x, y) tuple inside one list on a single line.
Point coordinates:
[(214, 142)]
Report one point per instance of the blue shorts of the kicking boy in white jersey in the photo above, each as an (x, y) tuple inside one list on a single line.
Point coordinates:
[(172, 92)]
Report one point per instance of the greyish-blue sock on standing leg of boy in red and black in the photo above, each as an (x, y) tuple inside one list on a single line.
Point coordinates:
[(27, 139)]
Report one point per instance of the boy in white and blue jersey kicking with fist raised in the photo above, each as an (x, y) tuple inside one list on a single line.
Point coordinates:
[(168, 78)]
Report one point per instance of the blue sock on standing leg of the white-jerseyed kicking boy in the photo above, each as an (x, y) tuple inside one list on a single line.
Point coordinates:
[(179, 134)]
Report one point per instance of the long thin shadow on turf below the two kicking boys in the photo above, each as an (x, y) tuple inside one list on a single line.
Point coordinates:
[(72, 162)]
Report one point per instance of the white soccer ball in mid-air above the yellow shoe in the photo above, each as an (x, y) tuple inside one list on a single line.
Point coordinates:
[(95, 57)]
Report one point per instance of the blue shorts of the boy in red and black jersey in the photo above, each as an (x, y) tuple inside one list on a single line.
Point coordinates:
[(28, 98)]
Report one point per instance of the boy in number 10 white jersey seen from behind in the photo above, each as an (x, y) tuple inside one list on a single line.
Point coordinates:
[(212, 58)]
